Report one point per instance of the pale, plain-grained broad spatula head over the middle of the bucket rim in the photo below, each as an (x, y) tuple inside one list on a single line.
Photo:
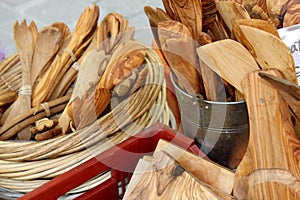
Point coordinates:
[(229, 59)]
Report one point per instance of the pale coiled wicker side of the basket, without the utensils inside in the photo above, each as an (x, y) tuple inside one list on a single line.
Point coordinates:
[(25, 166)]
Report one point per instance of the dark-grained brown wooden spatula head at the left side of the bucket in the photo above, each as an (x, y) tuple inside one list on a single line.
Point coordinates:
[(178, 48)]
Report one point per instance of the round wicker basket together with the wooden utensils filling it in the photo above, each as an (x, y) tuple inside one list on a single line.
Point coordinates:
[(71, 95)]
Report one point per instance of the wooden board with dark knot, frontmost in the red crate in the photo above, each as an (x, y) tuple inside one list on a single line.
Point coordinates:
[(167, 180)]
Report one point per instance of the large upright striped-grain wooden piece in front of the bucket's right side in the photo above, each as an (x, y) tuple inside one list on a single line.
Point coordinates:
[(273, 145)]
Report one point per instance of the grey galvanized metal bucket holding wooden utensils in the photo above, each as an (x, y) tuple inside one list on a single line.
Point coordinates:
[(220, 129)]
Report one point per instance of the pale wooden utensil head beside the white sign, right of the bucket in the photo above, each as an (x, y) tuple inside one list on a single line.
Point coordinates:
[(268, 50)]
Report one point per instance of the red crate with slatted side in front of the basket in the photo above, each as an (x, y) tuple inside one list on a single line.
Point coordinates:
[(118, 160)]
